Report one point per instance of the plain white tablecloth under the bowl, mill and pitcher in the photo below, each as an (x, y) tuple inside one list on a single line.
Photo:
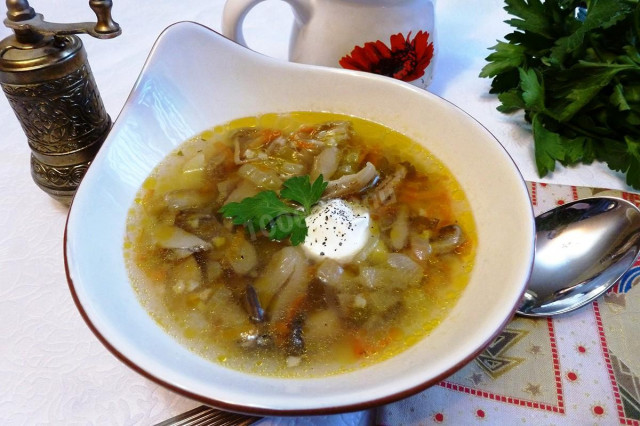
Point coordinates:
[(52, 368)]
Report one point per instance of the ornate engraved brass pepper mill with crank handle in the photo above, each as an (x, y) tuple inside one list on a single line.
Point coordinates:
[(46, 77)]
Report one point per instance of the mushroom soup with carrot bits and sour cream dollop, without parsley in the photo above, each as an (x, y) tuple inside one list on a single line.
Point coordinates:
[(389, 246)]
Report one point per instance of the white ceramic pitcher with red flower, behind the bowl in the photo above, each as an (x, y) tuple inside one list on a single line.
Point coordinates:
[(389, 37)]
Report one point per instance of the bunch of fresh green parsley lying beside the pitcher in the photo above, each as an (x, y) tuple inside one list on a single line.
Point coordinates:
[(577, 81)]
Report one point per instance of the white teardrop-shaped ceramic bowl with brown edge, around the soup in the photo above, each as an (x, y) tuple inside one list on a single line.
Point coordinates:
[(194, 79)]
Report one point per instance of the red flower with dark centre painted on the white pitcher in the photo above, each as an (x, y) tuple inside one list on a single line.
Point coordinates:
[(405, 60)]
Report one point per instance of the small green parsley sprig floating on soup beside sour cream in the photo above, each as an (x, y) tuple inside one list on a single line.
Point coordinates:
[(281, 216)]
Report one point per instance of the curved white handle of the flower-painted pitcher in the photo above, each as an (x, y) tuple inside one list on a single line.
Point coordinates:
[(236, 10)]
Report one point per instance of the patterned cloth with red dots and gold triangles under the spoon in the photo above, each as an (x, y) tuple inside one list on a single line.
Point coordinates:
[(579, 368)]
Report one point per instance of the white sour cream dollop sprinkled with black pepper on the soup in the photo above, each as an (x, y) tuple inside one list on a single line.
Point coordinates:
[(337, 230)]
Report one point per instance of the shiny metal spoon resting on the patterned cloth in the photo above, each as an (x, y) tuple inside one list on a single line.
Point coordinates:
[(582, 249)]
